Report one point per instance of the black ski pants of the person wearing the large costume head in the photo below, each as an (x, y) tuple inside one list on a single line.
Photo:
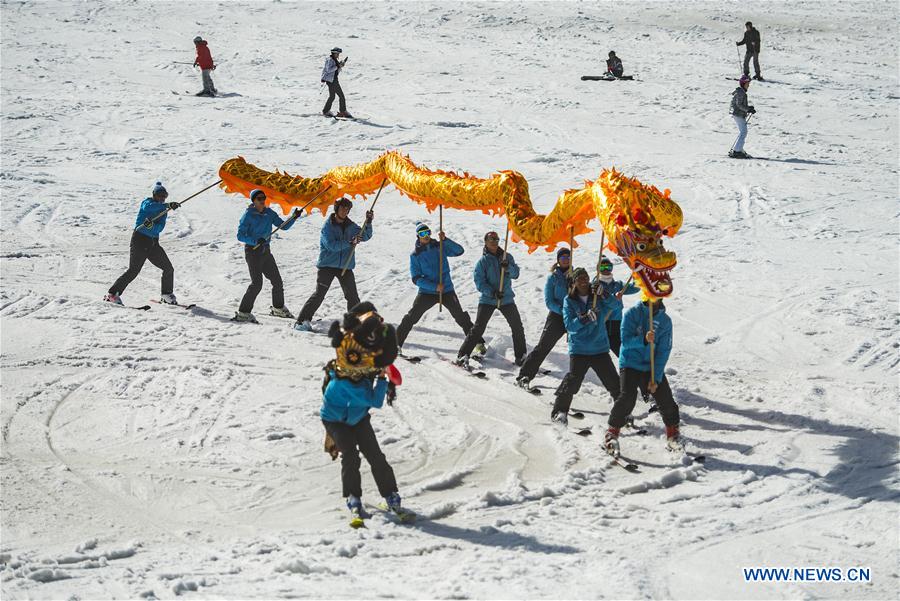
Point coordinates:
[(351, 440)]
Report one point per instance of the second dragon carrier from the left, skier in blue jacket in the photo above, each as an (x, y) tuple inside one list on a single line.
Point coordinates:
[(255, 231)]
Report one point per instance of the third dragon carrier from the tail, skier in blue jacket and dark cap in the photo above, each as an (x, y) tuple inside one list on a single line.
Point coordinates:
[(339, 237)]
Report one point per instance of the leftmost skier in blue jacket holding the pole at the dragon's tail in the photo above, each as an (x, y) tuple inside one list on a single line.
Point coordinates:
[(145, 247)]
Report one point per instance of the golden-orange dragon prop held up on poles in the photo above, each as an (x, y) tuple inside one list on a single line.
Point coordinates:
[(634, 216)]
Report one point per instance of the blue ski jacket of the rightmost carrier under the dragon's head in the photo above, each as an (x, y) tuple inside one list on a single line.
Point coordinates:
[(635, 352)]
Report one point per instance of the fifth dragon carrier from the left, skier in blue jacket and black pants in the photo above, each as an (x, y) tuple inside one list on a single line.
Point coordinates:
[(487, 281)]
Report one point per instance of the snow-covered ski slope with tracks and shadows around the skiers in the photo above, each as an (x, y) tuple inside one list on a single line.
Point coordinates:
[(174, 452)]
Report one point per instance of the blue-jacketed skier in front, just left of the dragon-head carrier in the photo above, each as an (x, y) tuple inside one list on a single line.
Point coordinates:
[(588, 347)]
